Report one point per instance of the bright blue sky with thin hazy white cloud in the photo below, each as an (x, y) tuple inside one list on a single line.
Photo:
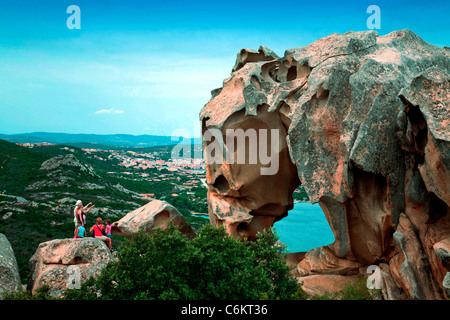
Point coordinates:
[(147, 67)]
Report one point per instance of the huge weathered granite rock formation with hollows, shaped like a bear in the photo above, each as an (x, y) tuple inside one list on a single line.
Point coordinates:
[(363, 124)]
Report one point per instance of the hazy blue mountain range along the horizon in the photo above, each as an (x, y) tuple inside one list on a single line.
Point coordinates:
[(96, 140)]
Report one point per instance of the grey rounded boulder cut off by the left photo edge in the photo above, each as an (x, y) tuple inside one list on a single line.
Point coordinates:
[(9, 272)]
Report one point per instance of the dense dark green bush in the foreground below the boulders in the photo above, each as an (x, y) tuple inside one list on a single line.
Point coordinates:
[(166, 265)]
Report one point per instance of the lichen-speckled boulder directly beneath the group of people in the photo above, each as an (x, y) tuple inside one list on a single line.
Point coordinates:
[(66, 263)]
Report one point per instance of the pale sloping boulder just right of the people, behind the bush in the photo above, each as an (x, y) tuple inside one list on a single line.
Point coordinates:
[(155, 214)]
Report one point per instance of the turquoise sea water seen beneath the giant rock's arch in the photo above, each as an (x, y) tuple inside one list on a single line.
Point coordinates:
[(304, 228)]
